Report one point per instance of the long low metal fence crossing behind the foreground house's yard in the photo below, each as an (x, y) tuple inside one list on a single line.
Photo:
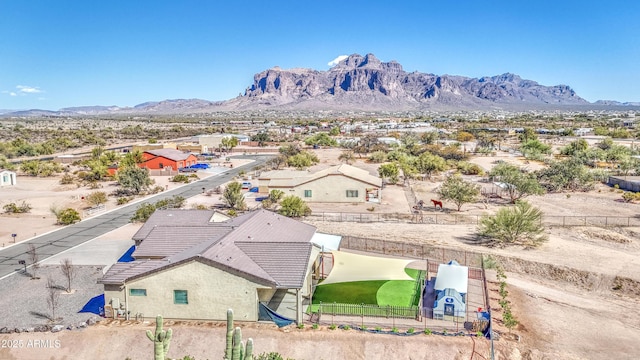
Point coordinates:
[(461, 219)]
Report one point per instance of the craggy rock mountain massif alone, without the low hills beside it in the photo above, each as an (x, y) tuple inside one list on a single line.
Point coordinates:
[(365, 82)]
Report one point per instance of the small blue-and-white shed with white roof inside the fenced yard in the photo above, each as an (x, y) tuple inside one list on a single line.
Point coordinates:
[(452, 281)]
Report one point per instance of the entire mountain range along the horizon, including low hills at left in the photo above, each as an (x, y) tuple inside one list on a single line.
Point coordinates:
[(365, 83)]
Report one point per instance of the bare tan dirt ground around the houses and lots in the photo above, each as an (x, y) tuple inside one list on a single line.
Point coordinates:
[(576, 297)]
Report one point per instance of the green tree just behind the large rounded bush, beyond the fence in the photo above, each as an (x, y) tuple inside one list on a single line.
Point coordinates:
[(518, 184)]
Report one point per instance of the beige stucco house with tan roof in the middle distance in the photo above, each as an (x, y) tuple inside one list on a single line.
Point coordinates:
[(339, 183)]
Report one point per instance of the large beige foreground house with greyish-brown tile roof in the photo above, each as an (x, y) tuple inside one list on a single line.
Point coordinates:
[(188, 266)]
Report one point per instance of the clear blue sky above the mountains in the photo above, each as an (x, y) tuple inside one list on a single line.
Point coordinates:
[(64, 53)]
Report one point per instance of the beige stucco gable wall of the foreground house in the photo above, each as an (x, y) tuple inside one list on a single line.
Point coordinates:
[(211, 292)]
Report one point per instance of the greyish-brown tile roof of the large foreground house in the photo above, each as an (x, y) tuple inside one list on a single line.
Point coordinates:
[(261, 244)]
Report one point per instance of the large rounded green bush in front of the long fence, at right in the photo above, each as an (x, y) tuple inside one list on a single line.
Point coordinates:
[(517, 225)]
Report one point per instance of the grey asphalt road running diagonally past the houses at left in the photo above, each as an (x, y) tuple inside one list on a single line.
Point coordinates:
[(58, 241)]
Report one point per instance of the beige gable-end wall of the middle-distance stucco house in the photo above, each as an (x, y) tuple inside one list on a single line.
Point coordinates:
[(331, 188)]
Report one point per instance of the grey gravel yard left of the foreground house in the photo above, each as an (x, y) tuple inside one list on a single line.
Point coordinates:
[(21, 311)]
